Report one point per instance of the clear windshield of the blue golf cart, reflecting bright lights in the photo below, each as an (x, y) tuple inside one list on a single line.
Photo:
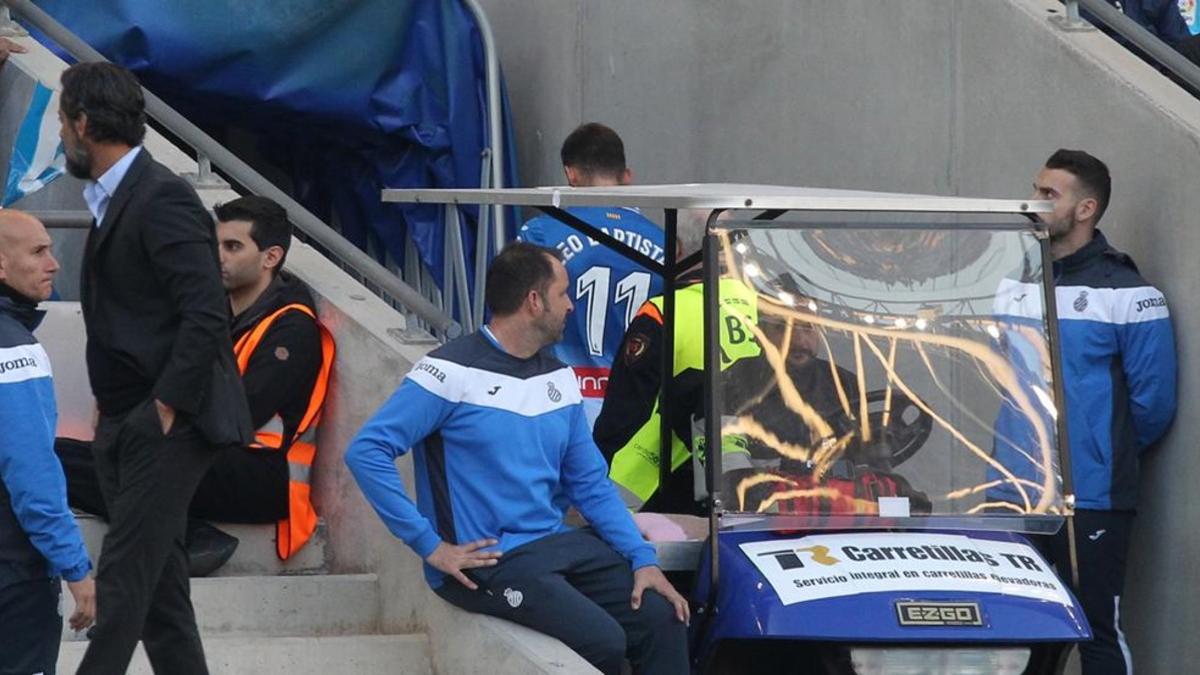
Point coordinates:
[(884, 375)]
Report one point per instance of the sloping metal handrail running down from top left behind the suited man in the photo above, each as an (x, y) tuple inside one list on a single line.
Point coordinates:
[(365, 266)]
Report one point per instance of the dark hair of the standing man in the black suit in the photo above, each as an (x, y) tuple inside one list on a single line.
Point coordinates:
[(111, 98)]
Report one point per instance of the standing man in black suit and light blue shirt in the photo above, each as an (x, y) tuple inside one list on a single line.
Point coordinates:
[(161, 367)]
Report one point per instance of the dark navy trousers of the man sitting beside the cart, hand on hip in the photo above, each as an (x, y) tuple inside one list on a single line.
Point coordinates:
[(577, 588)]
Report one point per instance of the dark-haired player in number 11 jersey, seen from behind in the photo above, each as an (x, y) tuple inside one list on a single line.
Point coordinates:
[(607, 286)]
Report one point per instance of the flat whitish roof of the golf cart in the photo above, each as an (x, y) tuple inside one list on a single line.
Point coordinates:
[(719, 196)]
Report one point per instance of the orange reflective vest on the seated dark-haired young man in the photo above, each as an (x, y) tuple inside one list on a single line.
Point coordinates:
[(293, 533)]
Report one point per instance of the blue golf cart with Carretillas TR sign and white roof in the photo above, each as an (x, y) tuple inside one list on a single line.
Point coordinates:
[(890, 446)]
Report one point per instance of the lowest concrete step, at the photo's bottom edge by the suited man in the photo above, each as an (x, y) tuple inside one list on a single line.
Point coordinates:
[(362, 655)]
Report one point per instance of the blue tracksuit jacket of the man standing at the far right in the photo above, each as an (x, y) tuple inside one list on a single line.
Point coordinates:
[(1119, 368)]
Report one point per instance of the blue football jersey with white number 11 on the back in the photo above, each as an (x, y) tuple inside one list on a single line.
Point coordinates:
[(608, 289)]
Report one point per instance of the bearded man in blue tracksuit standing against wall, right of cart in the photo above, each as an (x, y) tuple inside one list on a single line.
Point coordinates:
[(1119, 372)]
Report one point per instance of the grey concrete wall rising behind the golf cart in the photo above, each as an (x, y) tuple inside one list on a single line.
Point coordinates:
[(945, 97)]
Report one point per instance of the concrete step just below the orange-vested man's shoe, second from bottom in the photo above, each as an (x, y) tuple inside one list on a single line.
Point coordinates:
[(319, 606)]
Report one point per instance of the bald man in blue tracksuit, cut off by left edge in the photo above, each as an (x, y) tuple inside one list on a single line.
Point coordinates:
[(40, 541)]
